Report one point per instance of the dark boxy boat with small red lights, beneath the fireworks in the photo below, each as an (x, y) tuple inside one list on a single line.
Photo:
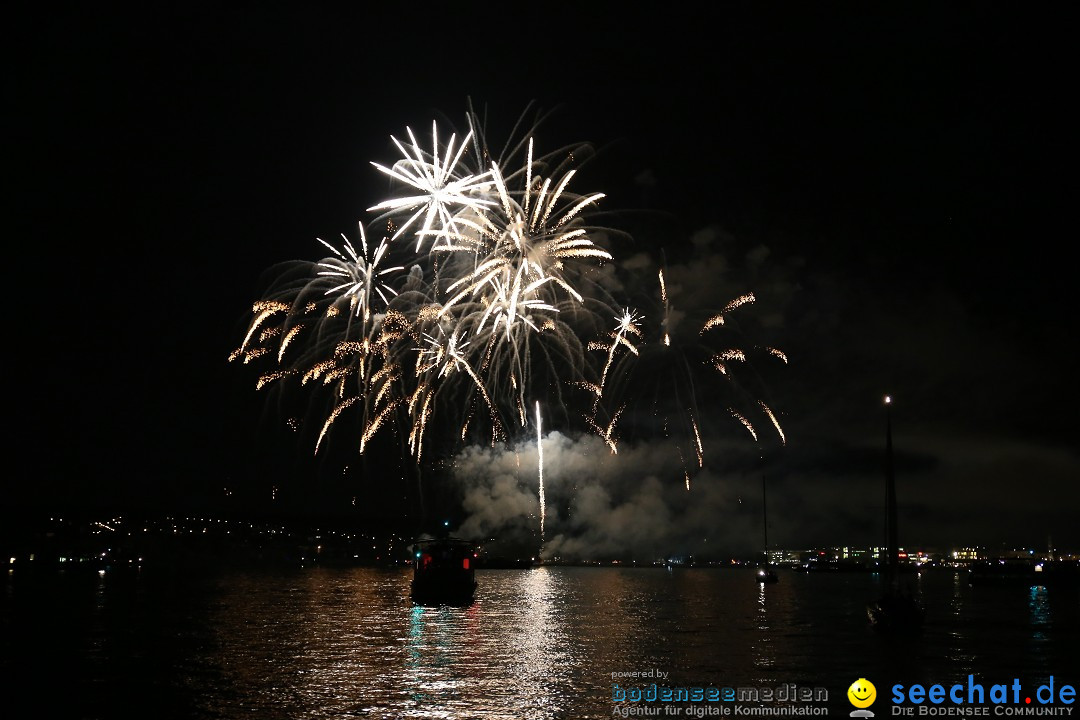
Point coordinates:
[(443, 572)]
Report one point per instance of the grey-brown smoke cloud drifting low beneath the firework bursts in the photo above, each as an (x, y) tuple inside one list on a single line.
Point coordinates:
[(633, 506)]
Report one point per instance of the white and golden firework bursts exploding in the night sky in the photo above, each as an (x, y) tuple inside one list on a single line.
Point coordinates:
[(488, 292)]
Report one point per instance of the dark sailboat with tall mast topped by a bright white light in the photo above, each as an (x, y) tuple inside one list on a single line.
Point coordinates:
[(897, 609)]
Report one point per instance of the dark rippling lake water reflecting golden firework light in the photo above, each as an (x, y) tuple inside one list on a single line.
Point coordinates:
[(544, 643)]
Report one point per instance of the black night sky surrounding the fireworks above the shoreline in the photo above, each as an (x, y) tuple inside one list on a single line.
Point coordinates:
[(892, 185)]
